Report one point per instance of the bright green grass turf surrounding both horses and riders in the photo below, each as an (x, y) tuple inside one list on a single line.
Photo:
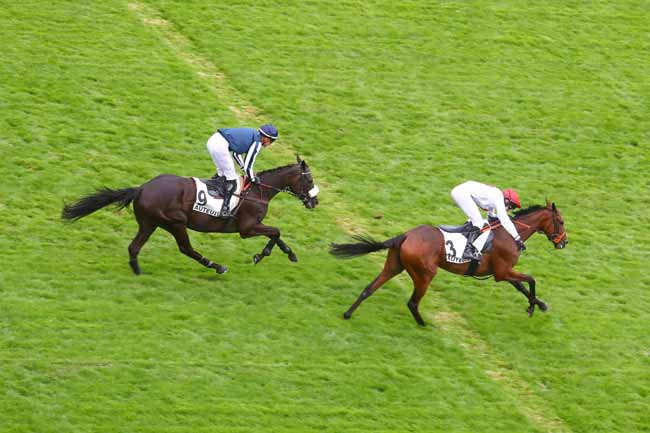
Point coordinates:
[(392, 104)]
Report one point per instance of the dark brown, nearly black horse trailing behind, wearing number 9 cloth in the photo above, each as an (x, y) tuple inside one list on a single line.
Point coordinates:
[(166, 201)]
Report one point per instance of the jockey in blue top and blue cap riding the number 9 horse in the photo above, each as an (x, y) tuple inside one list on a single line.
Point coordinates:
[(238, 141)]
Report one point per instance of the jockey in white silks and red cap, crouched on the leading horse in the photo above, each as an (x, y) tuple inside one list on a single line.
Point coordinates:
[(470, 196)]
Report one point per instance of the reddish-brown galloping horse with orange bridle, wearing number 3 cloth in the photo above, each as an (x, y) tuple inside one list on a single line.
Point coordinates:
[(421, 251)]
